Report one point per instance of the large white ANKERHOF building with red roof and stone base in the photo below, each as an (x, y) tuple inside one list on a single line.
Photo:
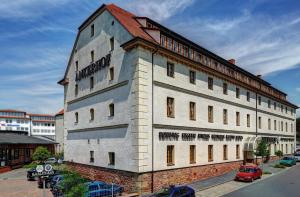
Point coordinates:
[(146, 107)]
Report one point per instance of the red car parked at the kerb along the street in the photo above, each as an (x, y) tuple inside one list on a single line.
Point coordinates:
[(248, 173)]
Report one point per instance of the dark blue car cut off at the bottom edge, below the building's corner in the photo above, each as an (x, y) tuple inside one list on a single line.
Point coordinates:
[(172, 191)]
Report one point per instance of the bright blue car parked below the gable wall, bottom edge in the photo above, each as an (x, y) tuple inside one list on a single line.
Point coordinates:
[(101, 189)]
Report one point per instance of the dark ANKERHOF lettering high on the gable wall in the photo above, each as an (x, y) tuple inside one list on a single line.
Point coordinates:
[(93, 68)]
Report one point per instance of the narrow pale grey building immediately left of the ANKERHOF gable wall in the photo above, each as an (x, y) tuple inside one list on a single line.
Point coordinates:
[(59, 131)]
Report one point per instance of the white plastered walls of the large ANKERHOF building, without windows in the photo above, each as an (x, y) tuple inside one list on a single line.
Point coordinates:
[(128, 132)]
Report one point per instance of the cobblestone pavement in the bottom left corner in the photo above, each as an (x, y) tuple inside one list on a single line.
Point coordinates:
[(15, 184)]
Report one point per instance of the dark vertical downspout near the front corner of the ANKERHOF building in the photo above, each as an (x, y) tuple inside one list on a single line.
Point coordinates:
[(152, 171)]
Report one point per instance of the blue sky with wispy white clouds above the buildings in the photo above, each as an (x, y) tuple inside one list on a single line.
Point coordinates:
[(36, 37)]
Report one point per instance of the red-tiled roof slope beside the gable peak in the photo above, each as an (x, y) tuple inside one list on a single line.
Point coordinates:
[(128, 20)]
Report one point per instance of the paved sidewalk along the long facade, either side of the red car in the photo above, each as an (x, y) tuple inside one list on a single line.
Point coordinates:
[(214, 181)]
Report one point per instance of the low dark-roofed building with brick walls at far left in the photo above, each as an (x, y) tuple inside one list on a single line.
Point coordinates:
[(16, 150)]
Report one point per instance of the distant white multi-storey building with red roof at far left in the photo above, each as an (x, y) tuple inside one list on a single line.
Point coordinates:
[(20, 122)]
